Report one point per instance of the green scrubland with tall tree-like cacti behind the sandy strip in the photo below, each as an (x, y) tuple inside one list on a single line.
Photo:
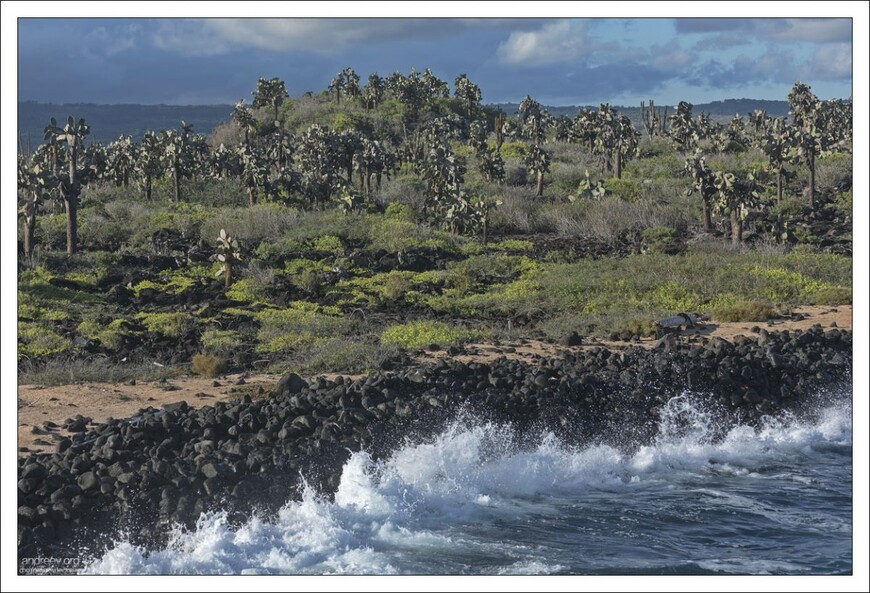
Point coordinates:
[(368, 222)]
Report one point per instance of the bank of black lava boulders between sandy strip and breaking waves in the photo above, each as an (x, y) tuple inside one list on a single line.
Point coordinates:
[(138, 476)]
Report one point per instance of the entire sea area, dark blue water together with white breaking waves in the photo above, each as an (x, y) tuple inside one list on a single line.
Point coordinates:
[(769, 500)]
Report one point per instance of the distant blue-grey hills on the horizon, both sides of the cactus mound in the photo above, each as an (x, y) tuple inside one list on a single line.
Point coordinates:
[(108, 122)]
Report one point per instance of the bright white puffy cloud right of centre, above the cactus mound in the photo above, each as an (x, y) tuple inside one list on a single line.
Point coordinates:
[(553, 43)]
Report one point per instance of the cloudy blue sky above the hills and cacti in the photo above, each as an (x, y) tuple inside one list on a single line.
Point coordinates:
[(557, 61)]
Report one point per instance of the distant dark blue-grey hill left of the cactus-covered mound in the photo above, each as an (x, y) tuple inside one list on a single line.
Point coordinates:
[(108, 122)]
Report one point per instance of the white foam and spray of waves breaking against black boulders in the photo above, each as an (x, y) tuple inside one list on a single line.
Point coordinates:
[(404, 513)]
